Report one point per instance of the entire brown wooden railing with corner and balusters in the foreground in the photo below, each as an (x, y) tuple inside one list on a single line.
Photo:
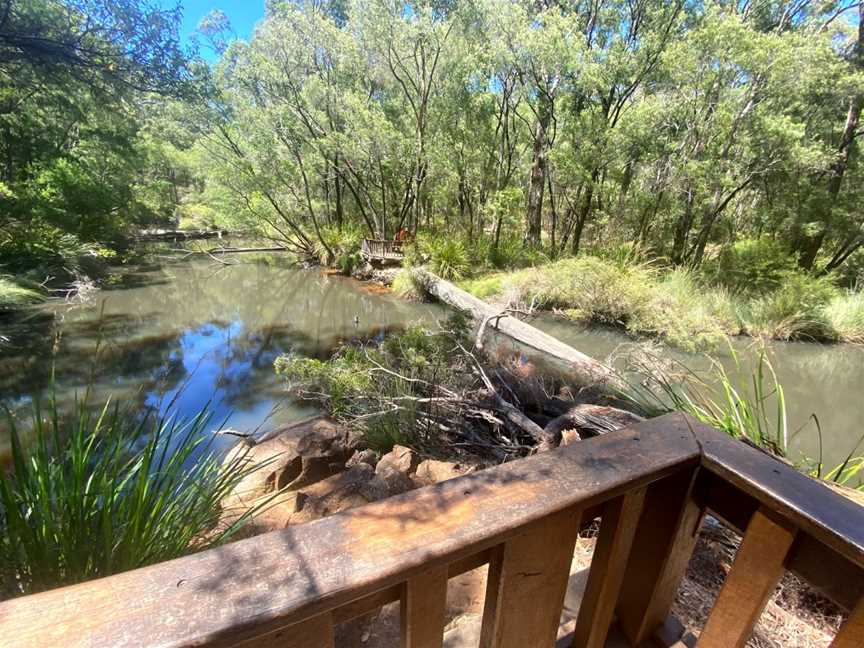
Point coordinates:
[(650, 485)]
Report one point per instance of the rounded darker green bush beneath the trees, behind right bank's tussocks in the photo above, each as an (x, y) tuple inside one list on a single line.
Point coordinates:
[(752, 266)]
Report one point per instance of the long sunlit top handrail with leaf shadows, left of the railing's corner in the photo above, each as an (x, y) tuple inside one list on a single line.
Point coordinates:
[(223, 596)]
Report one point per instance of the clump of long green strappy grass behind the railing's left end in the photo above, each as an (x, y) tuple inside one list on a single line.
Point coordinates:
[(103, 491)]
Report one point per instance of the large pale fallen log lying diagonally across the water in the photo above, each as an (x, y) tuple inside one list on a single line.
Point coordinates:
[(584, 369)]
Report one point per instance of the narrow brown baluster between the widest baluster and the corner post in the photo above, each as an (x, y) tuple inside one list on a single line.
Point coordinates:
[(617, 528)]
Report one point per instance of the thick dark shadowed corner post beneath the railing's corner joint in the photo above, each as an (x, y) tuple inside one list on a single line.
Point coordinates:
[(667, 533)]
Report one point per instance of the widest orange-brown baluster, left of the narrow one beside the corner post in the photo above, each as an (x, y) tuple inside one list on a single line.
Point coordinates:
[(527, 580)]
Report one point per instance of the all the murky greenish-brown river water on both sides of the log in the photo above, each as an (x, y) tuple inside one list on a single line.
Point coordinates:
[(196, 332)]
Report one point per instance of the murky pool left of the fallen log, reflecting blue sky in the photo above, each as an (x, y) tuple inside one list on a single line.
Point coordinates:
[(195, 333)]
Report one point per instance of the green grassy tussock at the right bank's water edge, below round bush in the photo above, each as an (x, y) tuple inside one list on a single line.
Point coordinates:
[(794, 310)]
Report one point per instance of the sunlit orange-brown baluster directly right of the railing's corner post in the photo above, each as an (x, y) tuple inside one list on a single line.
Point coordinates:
[(757, 568)]
